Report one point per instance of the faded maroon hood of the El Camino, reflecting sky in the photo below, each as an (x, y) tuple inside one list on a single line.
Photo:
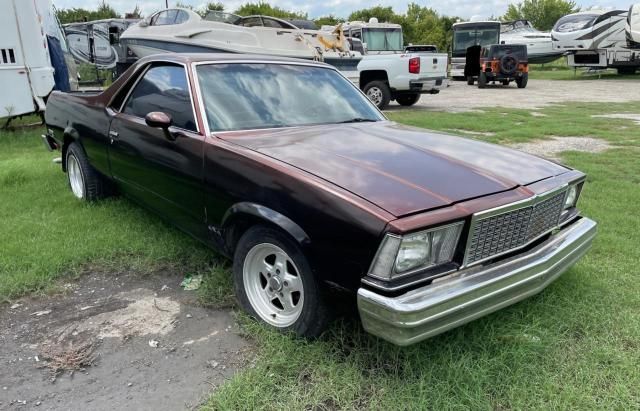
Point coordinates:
[(401, 169)]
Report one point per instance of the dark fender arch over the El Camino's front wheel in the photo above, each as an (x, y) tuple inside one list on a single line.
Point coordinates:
[(242, 216)]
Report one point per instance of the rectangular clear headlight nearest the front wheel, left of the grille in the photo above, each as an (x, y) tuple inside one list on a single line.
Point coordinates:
[(400, 255)]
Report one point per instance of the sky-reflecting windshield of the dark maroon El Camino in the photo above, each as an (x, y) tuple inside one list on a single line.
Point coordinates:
[(240, 96)]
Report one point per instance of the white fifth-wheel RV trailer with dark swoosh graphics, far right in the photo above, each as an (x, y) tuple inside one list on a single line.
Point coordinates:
[(596, 39)]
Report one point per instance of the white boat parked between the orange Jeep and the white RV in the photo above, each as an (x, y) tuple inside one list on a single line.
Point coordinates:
[(539, 45)]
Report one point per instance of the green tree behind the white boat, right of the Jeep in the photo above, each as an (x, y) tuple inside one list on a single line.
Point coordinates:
[(543, 14)]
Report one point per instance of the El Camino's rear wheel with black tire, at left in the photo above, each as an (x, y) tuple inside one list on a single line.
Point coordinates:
[(85, 182)]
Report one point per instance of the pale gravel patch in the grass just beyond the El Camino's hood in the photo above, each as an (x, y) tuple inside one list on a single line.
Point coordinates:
[(552, 147)]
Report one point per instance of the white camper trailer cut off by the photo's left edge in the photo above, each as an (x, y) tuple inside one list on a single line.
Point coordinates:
[(27, 75)]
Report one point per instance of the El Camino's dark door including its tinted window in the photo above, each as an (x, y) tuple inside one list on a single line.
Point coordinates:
[(160, 168)]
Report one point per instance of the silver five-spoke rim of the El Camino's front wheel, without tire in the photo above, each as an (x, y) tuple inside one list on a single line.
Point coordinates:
[(273, 285)]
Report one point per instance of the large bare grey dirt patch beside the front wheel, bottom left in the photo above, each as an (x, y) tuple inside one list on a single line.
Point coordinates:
[(116, 341)]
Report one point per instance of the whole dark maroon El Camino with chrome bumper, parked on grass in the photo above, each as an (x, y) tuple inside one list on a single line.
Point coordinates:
[(288, 169)]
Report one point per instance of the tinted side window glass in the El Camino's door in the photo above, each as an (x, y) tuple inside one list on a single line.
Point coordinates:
[(163, 88)]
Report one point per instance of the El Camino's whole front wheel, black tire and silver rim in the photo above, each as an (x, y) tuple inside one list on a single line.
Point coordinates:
[(275, 284)]
